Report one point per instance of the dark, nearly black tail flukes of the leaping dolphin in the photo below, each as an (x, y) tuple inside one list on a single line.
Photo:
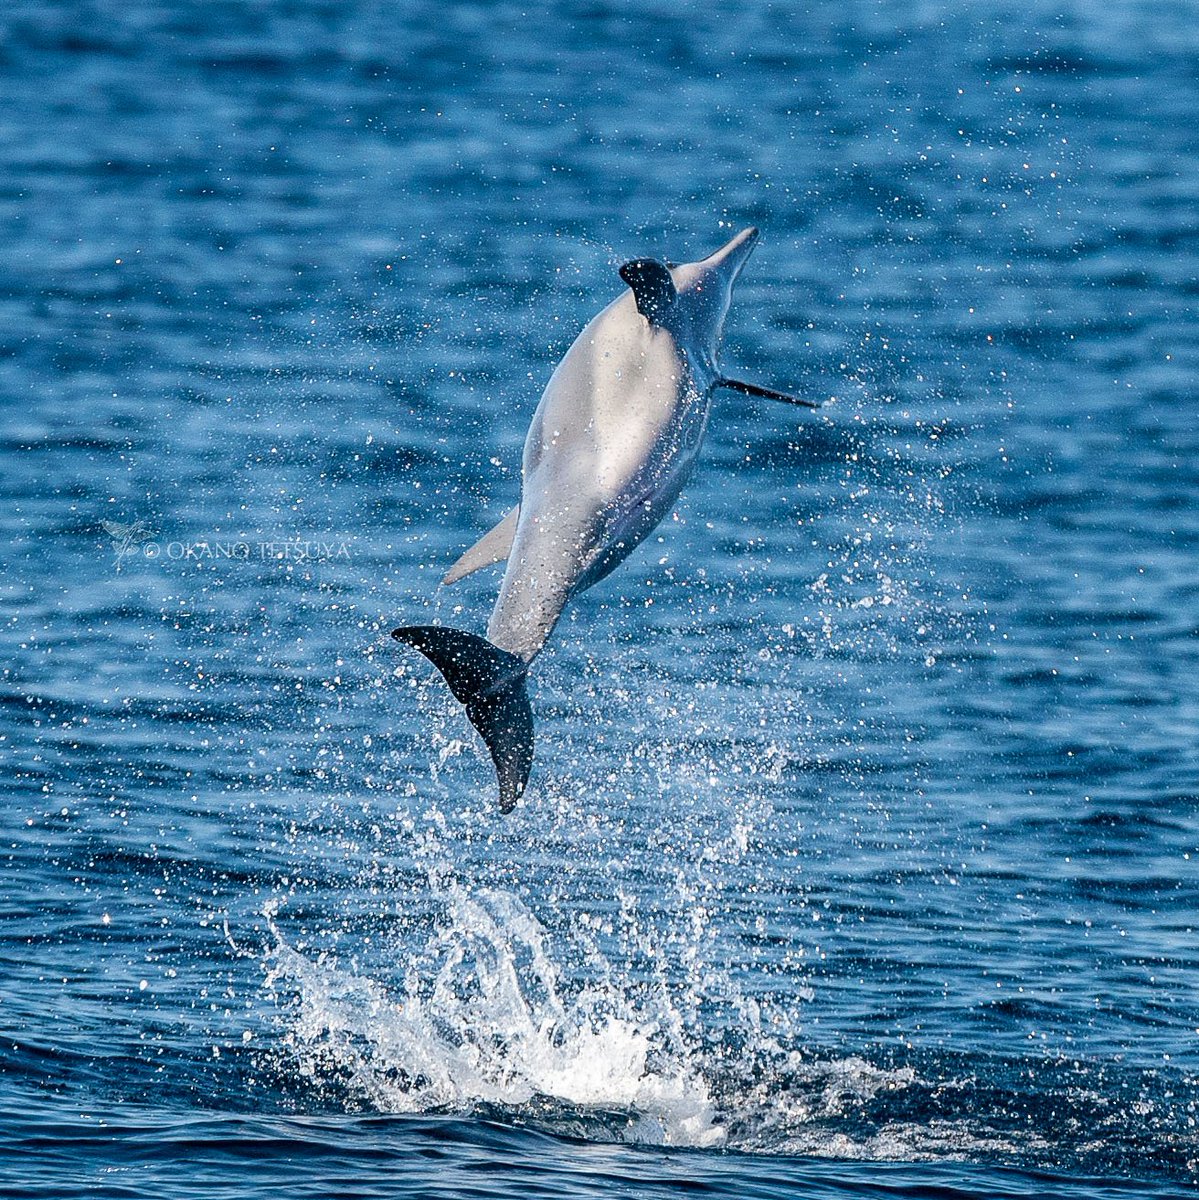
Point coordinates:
[(491, 683)]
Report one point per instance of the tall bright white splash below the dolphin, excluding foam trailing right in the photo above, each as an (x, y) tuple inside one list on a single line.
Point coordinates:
[(483, 1018)]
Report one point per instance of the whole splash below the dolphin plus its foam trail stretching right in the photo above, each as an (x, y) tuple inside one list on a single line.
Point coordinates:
[(483, 1021)]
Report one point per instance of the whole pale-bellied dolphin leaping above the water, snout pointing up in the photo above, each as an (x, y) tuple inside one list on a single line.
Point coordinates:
[(613, 442)]
